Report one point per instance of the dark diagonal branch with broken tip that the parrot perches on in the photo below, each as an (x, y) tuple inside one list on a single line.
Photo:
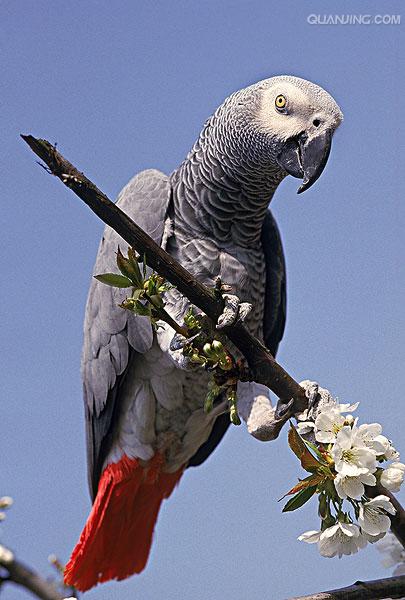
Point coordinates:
[(263, 366)]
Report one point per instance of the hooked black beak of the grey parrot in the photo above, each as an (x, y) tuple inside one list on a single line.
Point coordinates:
[(305, 157)]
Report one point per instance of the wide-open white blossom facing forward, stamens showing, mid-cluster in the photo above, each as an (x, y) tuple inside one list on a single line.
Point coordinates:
[(351, 456)]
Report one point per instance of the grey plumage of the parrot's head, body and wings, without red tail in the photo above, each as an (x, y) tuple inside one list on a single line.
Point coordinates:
[(217, 224)]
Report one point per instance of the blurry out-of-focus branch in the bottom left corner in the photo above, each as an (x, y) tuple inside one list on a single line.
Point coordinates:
[(22, 575)]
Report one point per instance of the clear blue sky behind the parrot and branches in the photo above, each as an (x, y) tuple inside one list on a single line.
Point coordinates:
[(125, 86)]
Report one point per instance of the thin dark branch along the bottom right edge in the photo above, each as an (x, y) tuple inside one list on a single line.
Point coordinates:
[(391, 587)]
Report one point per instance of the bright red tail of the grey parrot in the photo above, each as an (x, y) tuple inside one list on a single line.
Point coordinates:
[(117, 537)]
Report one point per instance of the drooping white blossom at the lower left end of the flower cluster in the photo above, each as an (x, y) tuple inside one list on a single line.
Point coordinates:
[(342, 538)]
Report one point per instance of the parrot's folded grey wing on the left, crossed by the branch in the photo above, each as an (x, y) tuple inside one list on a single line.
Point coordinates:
[(113, 335)]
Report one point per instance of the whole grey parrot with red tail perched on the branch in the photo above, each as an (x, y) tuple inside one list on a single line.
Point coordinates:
[(143, 400)]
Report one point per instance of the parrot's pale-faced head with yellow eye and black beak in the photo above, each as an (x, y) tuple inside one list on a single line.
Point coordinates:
[(295, 121)]
